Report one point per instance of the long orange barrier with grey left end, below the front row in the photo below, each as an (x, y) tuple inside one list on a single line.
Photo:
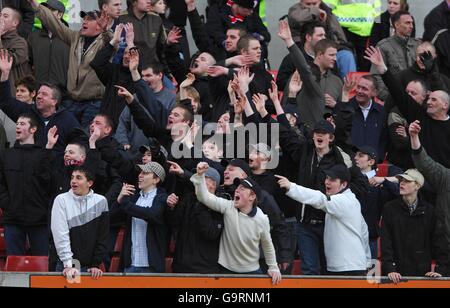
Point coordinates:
[(190, 281)]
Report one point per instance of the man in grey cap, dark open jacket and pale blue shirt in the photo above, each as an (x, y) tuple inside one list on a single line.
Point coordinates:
[(146, 234)]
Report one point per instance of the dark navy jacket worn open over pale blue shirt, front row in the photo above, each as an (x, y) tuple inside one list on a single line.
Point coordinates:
[(157, 230)]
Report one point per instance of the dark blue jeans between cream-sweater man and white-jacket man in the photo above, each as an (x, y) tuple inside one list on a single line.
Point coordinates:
[(311, 249)]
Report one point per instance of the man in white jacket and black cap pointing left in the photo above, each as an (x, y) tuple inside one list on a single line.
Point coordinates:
[(346, 237)]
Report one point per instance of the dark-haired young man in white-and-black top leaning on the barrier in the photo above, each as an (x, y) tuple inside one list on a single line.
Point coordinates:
[(80, 226)]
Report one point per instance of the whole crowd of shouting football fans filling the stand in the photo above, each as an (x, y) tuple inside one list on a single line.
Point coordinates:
[(118, 127)]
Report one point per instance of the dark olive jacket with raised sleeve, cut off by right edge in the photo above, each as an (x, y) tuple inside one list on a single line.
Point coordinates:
[(438, 177)]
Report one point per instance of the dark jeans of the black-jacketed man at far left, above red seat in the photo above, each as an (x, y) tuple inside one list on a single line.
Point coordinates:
[(16, 236)]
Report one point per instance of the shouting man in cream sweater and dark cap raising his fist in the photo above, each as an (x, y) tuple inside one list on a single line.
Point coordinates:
[(245, 227)]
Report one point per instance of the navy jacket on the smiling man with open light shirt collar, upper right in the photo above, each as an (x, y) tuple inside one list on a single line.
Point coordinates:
[(372, 131)]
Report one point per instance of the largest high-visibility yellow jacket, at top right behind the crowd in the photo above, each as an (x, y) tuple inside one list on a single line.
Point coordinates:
[(357, 16)]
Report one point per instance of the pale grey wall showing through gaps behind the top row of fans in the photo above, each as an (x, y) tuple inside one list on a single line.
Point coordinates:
[(278, 8)]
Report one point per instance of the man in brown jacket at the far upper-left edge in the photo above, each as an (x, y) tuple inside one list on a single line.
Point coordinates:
[(16, 45)]
